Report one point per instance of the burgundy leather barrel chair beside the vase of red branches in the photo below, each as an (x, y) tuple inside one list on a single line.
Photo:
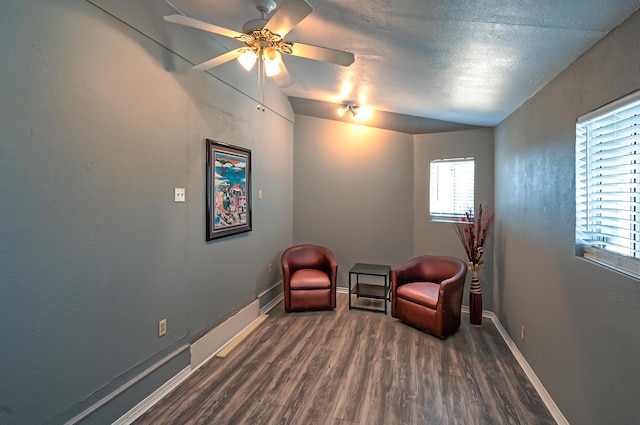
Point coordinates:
[(426, 292)]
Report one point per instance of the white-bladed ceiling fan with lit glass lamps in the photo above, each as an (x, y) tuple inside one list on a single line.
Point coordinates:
[(264, 38)]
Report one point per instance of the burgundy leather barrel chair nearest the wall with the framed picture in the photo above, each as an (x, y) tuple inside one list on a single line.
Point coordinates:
[(309, 273)]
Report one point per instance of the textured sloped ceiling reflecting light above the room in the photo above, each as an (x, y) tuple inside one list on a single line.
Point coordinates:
[(432, 65)]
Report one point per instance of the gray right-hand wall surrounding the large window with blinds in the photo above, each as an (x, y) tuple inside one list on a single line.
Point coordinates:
[(582, 333)]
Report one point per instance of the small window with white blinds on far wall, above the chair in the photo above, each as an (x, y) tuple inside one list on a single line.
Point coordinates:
[(451, 188)]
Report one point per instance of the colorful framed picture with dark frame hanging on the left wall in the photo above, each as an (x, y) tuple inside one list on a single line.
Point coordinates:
[(228, 190)]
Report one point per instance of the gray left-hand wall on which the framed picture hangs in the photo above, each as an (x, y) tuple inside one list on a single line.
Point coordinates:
[(98, 124)]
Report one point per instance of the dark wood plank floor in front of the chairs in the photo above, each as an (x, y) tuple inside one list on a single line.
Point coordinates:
[(356, 367)]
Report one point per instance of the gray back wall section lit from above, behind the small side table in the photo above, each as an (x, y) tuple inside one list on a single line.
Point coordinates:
[(353, 191)]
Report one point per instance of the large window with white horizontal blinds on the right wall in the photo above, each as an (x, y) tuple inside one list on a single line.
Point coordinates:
[(608, 185)]
